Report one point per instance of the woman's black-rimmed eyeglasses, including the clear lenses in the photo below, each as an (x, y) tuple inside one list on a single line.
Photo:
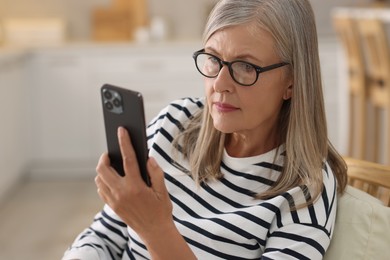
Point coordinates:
[(242, 72)]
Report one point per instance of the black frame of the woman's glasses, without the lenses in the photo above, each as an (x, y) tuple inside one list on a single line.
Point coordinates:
[(229, 65)]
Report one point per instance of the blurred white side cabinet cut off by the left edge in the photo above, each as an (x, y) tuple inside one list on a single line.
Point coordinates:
[(15, 124)]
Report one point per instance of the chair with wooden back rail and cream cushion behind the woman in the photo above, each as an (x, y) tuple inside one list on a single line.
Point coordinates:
[(362, 223)]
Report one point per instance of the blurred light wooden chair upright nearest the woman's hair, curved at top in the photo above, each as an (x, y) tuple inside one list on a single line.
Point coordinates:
[(347, 32)]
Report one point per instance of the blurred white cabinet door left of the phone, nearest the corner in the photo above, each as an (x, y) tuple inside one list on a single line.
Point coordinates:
[(59, 101)]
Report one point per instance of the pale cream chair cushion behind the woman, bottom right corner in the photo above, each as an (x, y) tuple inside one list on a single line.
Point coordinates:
[(361, 229)]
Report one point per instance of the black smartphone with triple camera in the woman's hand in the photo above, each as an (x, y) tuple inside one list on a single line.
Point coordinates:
[(124, 107)]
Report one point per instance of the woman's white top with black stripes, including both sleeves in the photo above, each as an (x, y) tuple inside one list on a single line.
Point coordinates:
[(220, 220)]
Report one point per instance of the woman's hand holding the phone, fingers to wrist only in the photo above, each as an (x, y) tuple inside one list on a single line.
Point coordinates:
[(147, 210)]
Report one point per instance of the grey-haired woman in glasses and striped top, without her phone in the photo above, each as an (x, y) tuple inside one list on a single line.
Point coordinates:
[(246, 172)]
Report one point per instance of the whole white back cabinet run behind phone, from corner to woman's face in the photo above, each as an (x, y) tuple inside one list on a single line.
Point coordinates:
[(68, 124)]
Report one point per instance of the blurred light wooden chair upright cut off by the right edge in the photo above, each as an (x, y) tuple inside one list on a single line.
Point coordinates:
[(377, 58)]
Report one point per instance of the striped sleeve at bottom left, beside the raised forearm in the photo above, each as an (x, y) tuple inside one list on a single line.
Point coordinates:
[(106, 238)]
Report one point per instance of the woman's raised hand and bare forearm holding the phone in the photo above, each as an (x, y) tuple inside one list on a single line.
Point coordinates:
[(147, 210)]
